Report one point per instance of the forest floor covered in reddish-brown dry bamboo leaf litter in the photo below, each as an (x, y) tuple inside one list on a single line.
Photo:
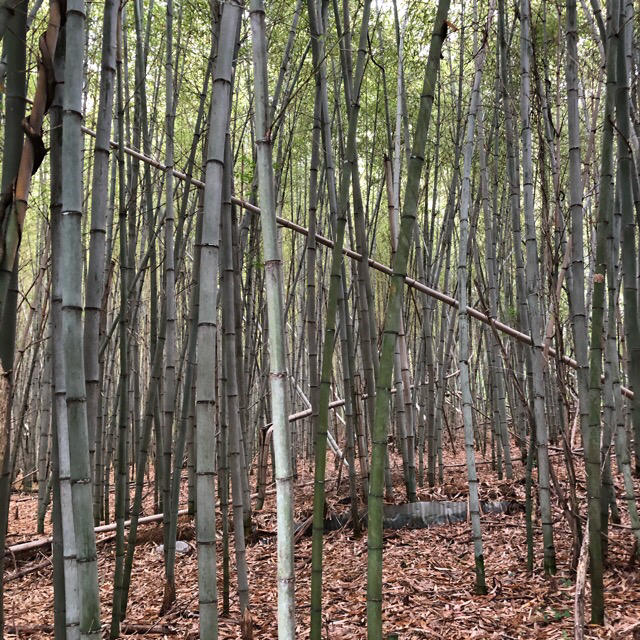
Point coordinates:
[(428, 574)]
